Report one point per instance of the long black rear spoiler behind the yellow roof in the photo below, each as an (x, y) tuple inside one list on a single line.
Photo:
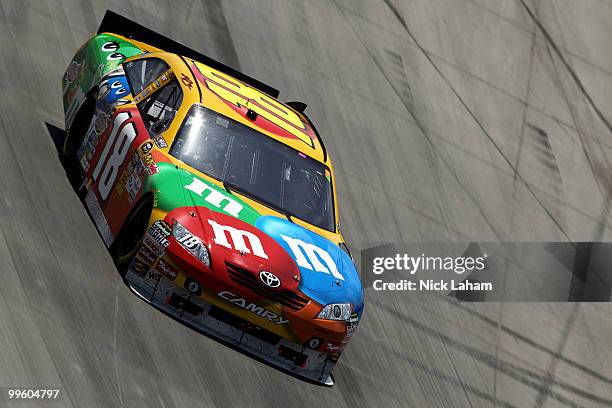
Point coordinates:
[(118, 24)]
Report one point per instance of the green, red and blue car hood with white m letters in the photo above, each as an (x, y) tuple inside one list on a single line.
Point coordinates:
[(326, 273)]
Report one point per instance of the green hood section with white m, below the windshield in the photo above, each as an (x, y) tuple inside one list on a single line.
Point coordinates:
[(174, 187)]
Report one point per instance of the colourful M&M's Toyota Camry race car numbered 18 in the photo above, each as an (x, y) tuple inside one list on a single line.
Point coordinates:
[(216, 200)]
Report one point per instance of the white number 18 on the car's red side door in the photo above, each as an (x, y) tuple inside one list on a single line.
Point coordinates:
[(117, 146)]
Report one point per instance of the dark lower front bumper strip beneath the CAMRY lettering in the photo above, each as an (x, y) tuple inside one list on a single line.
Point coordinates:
[(202, 316)]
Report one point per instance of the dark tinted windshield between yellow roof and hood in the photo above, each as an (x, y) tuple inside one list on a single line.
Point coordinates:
[(256, 166)]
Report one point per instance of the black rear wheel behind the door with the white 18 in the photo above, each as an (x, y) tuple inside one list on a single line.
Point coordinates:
[(74, 138)]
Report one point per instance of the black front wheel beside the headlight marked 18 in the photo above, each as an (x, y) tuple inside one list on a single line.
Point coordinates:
[(131, 235)]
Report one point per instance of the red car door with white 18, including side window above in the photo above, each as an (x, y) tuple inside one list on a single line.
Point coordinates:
[(117, 169)]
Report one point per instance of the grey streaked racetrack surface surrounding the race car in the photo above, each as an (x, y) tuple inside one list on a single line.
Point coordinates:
[(446, 120)]
